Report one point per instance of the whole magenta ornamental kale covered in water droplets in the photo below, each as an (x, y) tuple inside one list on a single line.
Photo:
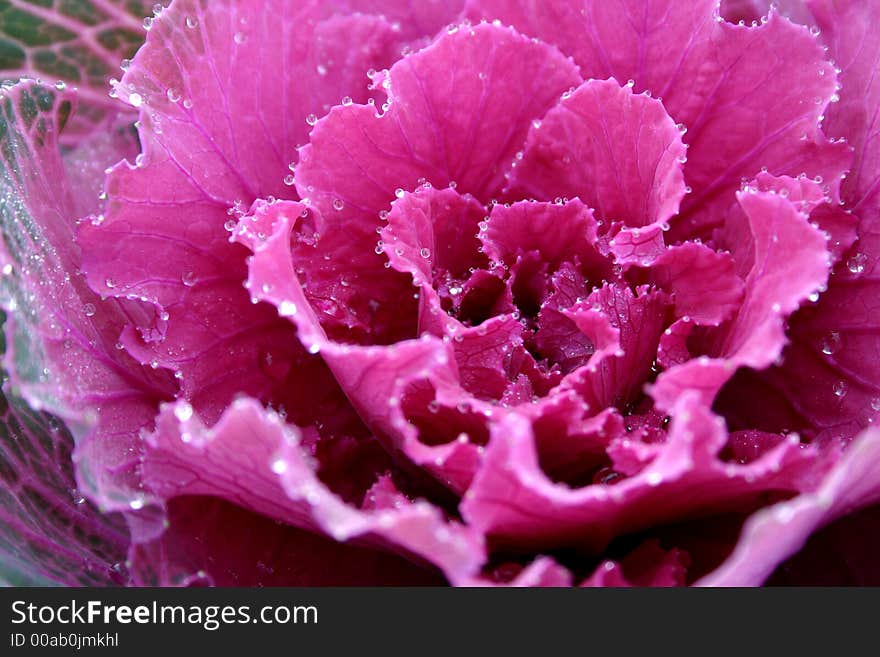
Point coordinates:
[(483, 292)]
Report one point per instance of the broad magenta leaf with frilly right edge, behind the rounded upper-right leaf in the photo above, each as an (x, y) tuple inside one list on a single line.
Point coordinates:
[(745, 101)]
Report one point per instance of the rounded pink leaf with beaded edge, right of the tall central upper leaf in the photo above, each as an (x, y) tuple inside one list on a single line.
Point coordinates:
[(581, 148)]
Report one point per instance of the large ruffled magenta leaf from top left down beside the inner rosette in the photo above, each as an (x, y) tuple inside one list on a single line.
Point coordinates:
[(194, 165)]
